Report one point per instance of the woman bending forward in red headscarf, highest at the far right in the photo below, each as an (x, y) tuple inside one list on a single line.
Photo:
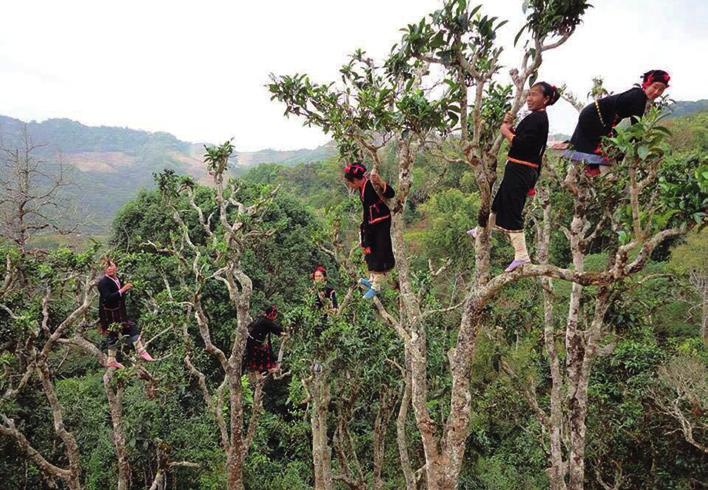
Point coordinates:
[(599, 118)]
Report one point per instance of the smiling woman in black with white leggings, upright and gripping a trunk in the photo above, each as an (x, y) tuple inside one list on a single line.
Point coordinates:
[(527, 144)]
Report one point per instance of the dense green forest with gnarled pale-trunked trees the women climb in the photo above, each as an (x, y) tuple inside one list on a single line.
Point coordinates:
[(586, 368)]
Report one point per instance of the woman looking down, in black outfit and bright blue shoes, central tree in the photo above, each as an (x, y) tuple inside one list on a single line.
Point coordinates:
[(375, 228)]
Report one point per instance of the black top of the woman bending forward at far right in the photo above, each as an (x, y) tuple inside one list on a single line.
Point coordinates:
[(598, 118)]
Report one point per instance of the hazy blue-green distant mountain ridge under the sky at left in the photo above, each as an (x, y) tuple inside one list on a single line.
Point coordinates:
[(109, 165)]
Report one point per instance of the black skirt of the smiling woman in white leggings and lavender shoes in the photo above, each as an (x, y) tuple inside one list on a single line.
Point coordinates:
[(509, 202)]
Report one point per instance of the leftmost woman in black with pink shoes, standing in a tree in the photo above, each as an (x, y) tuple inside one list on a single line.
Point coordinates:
[(113, 317)]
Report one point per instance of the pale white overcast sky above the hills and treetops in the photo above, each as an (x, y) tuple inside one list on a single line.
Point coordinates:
[(198, 69)]
